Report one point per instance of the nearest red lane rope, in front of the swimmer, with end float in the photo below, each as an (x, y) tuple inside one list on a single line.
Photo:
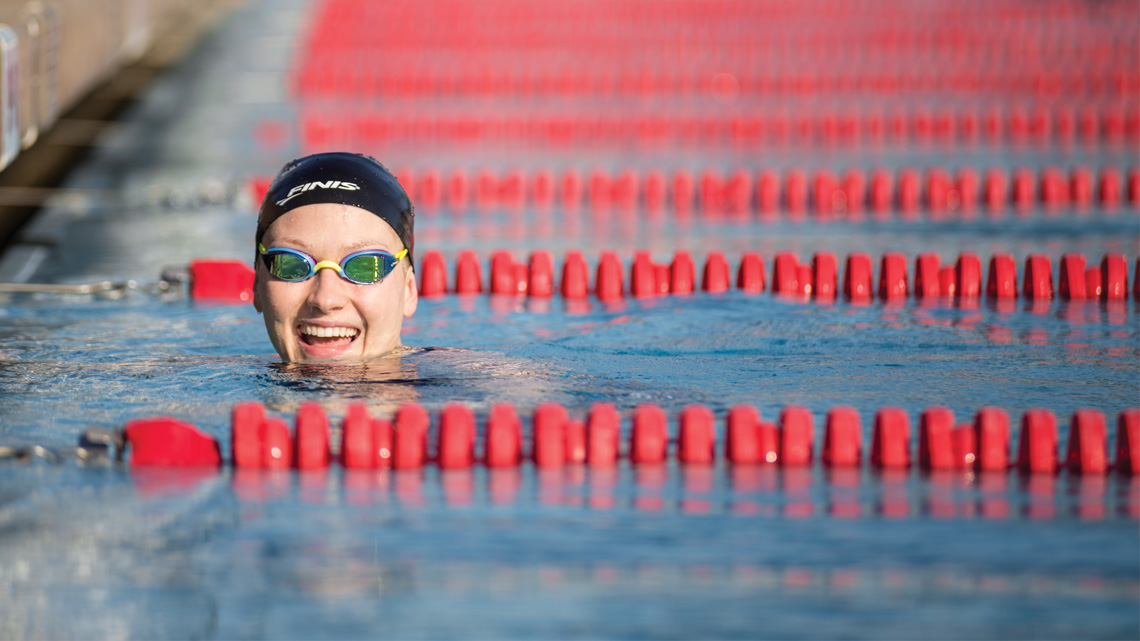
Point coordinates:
[(409, 442)]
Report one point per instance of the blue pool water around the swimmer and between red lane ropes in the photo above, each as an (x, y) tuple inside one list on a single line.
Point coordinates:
[(634, 551)]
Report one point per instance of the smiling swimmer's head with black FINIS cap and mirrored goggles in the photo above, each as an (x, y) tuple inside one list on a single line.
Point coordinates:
[(335, 278)]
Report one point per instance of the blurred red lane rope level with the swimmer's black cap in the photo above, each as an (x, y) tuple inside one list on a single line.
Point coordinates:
[(939, 192)]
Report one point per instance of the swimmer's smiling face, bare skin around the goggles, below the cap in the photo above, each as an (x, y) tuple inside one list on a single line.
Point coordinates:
[(328, 319)]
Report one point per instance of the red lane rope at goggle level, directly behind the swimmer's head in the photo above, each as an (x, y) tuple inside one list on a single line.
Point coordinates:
[(233, 281)]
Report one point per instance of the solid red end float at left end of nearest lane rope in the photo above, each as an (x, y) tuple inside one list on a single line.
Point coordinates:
[(166, 441)]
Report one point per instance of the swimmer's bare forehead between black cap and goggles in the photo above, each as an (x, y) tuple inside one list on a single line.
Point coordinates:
[(332, 226)]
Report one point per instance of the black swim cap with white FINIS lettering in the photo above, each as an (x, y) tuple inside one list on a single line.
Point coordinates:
[(344, 178)]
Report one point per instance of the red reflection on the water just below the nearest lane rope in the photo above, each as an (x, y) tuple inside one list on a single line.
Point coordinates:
[(766, 491)]
